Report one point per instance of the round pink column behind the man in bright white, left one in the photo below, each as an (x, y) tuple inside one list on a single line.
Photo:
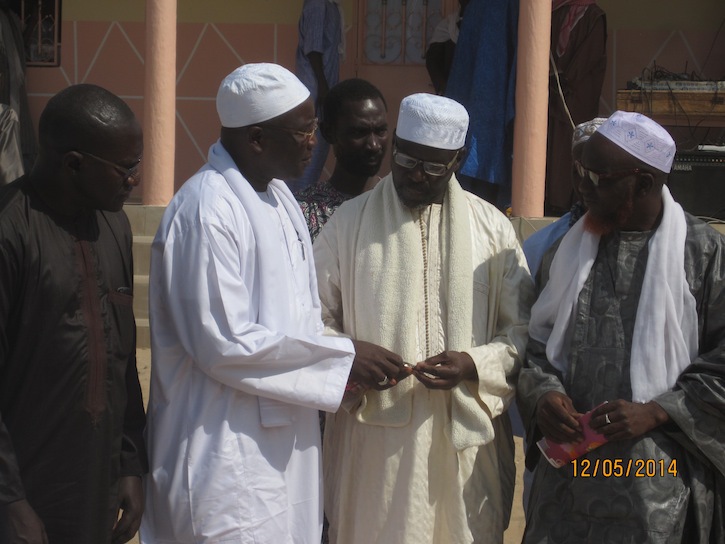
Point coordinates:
[(160, 102)]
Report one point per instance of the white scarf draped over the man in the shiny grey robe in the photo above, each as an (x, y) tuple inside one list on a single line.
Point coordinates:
[(665, 337)]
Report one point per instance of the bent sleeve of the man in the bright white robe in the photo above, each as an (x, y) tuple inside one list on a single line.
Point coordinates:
[(207, 277)]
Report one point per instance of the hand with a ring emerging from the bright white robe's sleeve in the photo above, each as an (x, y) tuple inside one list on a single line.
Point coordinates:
[(376, 367)]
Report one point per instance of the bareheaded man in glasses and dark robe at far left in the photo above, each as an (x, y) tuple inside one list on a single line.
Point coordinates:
[(71, 412)]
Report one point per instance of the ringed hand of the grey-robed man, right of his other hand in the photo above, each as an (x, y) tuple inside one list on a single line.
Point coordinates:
[(620, 419)]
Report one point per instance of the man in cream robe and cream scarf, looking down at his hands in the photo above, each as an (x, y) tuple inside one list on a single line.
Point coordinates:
[(437, 276)]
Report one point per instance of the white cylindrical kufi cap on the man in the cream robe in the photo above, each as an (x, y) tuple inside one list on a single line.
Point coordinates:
[(432, 120)]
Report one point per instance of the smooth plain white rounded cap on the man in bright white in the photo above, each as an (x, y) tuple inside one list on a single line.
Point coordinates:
[(254, 93)]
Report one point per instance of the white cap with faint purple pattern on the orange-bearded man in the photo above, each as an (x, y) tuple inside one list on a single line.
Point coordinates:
[(641, 137)]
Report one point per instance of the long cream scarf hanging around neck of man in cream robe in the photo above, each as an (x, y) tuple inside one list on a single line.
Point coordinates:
[(388, 290)]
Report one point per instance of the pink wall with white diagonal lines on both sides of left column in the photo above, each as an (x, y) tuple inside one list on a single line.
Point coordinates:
[(111, 54)]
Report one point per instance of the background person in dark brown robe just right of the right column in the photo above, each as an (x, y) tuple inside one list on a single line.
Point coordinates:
[(578, 51)]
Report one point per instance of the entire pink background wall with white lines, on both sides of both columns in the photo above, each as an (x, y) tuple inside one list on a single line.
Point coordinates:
[(110, 54)]
